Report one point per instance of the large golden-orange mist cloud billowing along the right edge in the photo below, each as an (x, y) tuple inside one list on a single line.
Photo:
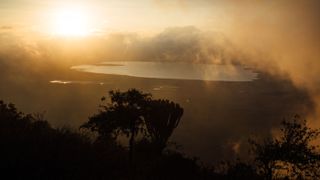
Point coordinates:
[(281, 37)]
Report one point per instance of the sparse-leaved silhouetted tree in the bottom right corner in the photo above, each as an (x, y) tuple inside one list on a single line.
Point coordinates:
[(291, 155)]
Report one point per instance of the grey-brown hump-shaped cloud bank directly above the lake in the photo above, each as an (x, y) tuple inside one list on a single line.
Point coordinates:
[(187, 44)]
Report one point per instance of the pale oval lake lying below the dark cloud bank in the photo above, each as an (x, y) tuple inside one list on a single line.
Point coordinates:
[(172, 70)]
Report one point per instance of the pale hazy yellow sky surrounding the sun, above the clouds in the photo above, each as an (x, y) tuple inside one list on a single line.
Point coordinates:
[(112, 15)]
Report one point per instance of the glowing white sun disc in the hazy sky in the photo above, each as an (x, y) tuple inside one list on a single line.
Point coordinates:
[(71, 22)]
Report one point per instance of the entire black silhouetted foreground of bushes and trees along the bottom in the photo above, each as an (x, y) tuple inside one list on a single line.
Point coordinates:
[(31, 148)]
